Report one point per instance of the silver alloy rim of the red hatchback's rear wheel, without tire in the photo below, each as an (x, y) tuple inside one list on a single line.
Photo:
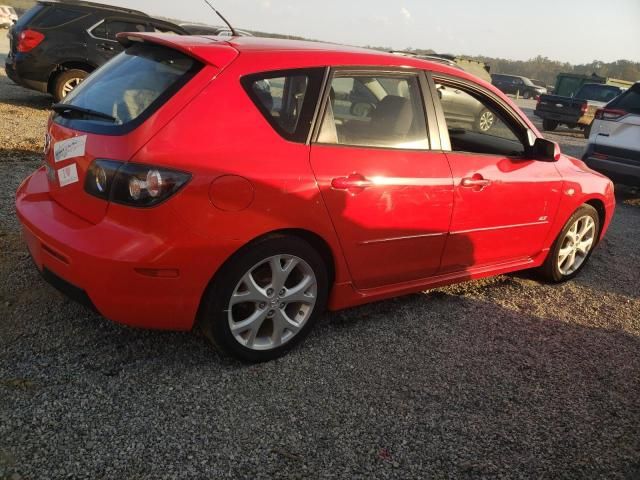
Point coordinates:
[(272, 302)]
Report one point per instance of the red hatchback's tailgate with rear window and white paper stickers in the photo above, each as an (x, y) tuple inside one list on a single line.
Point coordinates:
[(117, 110)]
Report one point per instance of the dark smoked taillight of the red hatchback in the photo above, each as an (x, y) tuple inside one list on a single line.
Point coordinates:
[(133, 184)]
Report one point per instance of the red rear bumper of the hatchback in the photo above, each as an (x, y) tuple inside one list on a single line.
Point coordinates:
[(107, 265)]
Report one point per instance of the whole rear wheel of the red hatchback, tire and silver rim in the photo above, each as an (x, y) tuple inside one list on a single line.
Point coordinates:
[(278, 325)]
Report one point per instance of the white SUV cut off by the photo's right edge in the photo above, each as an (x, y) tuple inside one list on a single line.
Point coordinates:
[(614, 142)]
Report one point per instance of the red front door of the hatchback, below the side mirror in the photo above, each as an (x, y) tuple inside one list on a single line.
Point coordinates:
[(504, 200)]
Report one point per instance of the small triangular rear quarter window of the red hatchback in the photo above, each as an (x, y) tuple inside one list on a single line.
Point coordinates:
[(287, 99)]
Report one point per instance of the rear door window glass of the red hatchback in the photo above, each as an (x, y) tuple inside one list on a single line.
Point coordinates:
[(375, 111)]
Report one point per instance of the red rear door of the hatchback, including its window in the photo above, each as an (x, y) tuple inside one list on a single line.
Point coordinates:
[(387, 187)]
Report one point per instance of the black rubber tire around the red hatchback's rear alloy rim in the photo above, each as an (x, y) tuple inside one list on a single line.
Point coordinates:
[(214, 320)]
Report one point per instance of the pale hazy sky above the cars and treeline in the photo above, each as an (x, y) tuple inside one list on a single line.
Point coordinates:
[(575, 31)]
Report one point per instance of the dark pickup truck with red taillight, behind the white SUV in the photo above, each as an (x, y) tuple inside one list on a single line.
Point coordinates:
[(577, 111)]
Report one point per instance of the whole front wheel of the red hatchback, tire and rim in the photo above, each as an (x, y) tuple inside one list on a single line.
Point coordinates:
[(587, 226)]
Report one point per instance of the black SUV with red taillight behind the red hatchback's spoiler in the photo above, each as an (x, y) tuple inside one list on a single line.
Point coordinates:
[(56, 44)]
